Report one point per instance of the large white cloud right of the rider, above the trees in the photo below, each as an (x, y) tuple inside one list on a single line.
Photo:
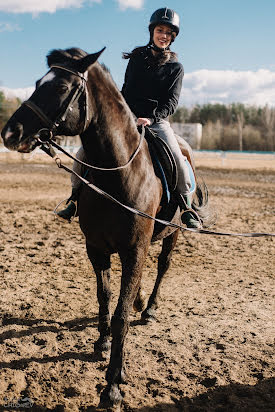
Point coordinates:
[(229, 86)]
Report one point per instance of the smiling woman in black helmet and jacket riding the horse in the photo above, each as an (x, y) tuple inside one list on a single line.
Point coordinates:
[(152, 87)]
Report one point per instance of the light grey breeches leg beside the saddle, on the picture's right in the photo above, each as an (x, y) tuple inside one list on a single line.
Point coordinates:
[(165, 132)]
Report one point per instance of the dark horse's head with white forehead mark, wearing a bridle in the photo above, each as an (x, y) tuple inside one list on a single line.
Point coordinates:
[(59, 104)]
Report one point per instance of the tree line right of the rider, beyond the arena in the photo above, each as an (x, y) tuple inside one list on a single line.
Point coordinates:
[(231, 127)]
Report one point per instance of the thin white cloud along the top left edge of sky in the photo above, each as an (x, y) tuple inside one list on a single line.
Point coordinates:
[(35, 6)]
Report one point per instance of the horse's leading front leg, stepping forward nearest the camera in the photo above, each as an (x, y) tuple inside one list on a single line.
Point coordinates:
[(132, 264)]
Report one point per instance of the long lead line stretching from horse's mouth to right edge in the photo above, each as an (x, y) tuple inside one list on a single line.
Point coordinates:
[(50, 151)]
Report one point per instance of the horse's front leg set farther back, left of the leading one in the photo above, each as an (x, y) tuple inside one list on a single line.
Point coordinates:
[(101, 264)]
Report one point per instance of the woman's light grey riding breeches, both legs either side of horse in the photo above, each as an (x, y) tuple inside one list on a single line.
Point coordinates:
[(165, 132)]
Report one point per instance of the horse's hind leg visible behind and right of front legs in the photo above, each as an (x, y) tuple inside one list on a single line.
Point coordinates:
[(163, 265)]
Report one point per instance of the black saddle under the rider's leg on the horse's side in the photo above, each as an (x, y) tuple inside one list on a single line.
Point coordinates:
[(164, 163)]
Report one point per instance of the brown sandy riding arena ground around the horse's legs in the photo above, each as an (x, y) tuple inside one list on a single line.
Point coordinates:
[(211, 348)]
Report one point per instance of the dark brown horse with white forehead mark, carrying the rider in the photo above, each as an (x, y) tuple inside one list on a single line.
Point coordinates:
[(78, 96)]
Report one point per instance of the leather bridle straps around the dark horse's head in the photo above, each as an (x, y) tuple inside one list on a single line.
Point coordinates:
[(50, 130)]
